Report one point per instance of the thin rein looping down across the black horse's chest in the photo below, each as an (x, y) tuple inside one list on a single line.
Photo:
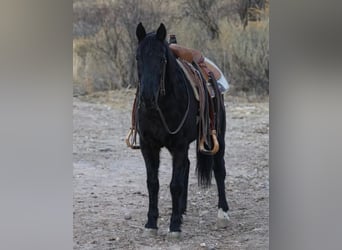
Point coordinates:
[(162, 90)]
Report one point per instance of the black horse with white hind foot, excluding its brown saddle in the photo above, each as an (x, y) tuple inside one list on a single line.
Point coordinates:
[(166, 117)]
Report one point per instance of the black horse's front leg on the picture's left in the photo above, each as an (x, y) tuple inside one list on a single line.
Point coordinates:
[(151, 158)]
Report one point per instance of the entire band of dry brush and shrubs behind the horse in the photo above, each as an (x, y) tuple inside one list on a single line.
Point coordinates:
[(232, 33)]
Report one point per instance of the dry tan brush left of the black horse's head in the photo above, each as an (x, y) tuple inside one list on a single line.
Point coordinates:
[(104, 56)]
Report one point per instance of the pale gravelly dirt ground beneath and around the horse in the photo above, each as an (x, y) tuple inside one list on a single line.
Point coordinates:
[(110, 194)]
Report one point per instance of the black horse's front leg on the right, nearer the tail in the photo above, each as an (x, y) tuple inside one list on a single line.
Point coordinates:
[(177, 187)]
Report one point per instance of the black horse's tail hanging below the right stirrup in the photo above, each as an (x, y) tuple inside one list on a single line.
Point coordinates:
[(204, 168)]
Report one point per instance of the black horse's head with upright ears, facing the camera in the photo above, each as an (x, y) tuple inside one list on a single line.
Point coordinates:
[(151, 56)]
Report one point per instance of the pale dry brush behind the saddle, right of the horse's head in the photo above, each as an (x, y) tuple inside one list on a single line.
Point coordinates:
[(241, 54)]
